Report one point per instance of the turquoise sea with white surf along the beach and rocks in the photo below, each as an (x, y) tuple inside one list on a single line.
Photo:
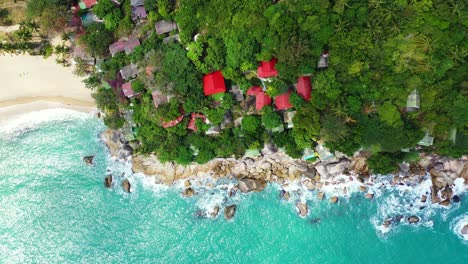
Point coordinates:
[(55, 209)]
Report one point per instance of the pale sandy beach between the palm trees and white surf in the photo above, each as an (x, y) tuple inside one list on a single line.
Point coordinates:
[(32, 83)]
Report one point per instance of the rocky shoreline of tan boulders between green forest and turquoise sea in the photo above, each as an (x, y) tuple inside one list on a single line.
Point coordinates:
[(253, 174)]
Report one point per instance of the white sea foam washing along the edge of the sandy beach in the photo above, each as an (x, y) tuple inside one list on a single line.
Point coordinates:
[(29, 121)]
